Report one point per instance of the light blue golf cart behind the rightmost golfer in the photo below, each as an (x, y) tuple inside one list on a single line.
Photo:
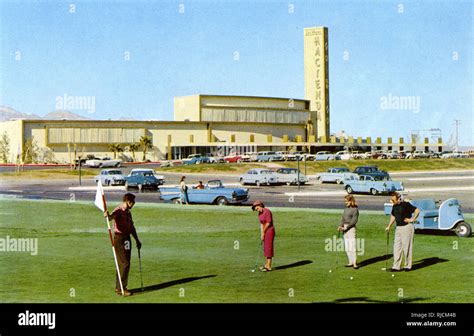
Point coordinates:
[(438, 215)]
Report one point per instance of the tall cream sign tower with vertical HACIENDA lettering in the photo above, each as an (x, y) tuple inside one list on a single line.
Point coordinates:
[(316, 79)]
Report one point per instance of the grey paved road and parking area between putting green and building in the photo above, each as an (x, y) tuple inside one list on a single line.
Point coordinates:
[(439, 185)]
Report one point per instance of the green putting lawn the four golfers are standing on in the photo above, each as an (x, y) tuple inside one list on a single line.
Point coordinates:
[(189, 255)]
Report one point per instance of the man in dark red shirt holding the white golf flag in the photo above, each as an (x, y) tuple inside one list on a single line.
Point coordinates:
[(123, 228)]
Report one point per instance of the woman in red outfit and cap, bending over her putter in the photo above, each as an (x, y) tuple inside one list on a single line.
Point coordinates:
[(267, 233)]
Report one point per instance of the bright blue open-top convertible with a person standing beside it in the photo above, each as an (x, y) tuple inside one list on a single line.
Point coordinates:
[(212, 193)]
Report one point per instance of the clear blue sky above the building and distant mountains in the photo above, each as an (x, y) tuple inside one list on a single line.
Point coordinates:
[(376, 49)]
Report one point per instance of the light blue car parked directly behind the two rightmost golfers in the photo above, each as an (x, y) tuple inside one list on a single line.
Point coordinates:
[(371, 184)]
